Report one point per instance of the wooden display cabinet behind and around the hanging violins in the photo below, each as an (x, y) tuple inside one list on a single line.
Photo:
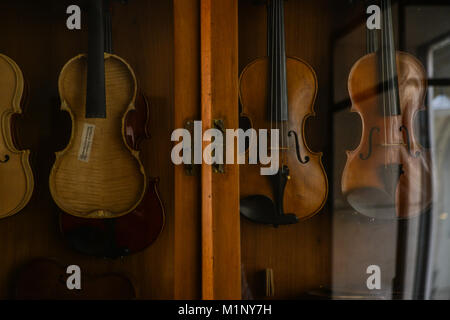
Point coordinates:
[(187, 56)]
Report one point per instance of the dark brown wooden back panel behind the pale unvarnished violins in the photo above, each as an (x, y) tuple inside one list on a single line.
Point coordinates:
[(43, 129)]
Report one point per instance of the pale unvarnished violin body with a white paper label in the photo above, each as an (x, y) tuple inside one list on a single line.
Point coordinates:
[(98, 175)]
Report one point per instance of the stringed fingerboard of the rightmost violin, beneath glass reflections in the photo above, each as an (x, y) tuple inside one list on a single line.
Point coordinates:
[(388, 62)]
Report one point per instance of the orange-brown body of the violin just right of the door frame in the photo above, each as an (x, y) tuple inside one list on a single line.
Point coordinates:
[(307, 186)]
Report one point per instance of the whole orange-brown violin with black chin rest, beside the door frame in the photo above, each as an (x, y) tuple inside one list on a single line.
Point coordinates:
[(278, 92)]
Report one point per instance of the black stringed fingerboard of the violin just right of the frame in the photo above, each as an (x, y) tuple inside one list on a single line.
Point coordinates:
[(278, 105)]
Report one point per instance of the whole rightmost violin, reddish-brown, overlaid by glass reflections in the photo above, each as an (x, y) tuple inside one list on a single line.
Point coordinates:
[(389, 174)]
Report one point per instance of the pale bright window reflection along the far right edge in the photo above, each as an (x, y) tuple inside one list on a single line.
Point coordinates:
[(439, 97)]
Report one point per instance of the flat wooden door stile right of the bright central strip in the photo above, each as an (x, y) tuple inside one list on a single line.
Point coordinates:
[(225, 190)]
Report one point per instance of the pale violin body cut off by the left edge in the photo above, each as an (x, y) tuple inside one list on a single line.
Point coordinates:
[(16, 176)]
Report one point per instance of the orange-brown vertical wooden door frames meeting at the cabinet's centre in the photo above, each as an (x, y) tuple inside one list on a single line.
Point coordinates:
[(207, 230)]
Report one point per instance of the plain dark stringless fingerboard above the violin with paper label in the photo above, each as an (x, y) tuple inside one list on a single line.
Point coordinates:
[(96, 93)]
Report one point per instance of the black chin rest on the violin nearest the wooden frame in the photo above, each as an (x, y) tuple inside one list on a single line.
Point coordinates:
[(261, 209)]
